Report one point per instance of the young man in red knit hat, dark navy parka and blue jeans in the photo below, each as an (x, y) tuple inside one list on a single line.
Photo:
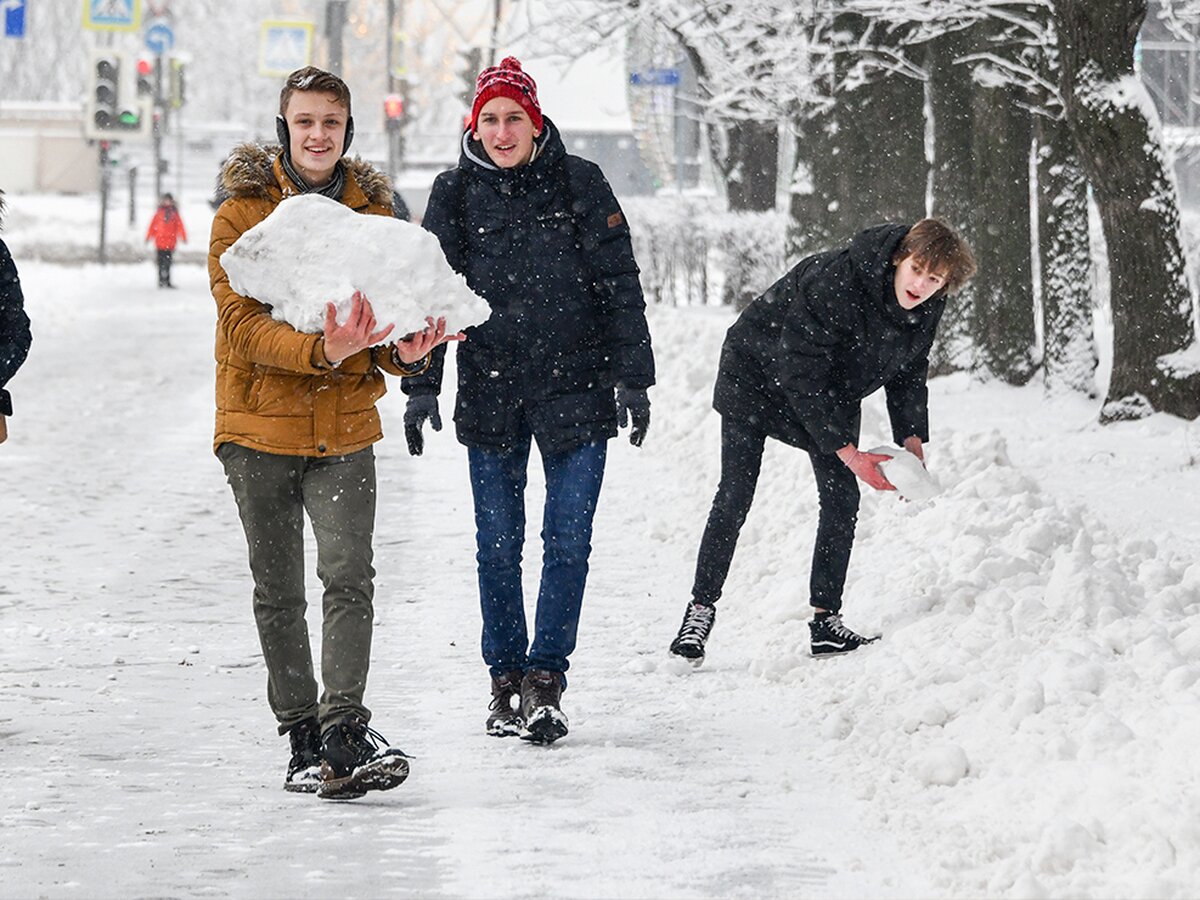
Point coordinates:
[(562, 362)]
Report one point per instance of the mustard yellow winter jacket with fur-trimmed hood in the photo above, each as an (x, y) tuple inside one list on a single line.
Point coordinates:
[(275, 389)]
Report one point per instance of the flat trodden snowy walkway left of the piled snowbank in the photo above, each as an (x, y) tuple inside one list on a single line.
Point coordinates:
[(140, 755)]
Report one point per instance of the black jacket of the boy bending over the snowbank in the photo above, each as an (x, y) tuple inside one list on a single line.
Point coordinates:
[(801, 358)]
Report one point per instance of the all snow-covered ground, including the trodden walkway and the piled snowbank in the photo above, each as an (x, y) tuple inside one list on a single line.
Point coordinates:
[(1028, 728)]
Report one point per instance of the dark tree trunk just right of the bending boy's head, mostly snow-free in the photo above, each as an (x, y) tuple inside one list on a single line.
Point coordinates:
[(1003, 323)]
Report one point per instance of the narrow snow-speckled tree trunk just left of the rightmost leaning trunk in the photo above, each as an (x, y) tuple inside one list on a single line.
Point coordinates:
[(1070, 353)]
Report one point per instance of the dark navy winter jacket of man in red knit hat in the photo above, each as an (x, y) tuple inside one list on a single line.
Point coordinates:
[(549, 248)]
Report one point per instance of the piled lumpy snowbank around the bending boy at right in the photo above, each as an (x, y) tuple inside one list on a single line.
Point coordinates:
[(1029, 723)]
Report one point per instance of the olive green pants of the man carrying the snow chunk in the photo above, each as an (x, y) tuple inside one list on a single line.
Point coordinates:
[(339, 494)]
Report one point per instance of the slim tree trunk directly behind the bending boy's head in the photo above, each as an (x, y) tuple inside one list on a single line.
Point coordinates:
[(953, 197)]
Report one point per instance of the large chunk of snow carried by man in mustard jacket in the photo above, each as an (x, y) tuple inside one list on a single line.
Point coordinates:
[(313, 251)]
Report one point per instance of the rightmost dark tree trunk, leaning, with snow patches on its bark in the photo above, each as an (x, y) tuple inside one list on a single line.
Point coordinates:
[(1117, 129)]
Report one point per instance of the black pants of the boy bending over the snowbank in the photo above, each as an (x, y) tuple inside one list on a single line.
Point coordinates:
[(742, 448)]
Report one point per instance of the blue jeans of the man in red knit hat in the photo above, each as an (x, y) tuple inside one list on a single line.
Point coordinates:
[(573, 488)]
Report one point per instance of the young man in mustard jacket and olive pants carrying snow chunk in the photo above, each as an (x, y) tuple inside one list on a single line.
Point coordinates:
[(295, 430)]
